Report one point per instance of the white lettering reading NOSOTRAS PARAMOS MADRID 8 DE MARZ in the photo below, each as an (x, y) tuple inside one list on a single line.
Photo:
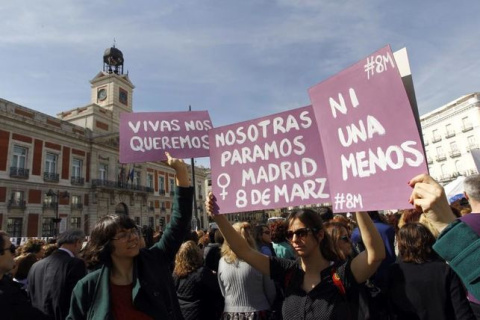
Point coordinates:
[(285, 173)]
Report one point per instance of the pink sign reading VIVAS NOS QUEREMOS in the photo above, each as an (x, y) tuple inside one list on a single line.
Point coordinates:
[(145, 136)]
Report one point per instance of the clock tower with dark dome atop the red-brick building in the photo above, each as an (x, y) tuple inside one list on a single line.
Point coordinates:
[(111, 88)]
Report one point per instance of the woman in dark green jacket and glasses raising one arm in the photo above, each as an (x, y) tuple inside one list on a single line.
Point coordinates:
[(134, 283)]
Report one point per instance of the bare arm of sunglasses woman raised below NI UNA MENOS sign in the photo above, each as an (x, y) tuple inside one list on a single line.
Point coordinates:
[(366, 263)]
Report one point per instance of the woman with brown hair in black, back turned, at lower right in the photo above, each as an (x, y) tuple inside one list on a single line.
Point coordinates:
[(421, 285)]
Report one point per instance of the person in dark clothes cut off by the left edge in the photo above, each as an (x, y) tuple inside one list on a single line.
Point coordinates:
[(14, 304)]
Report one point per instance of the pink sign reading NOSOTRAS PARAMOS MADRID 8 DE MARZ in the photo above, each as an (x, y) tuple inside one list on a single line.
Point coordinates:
[(270, 162)]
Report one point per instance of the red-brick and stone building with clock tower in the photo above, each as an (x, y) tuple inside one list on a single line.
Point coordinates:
[(64, 172)]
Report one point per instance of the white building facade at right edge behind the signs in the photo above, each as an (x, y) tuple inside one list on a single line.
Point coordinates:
[(451, 136)]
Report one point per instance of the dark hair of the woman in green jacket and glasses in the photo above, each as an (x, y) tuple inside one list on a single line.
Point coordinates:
[(99, 247)]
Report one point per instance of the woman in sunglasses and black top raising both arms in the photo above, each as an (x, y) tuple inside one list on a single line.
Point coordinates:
[(315, 287)]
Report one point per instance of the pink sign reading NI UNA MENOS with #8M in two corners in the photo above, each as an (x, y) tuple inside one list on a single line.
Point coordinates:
[(370, 139)]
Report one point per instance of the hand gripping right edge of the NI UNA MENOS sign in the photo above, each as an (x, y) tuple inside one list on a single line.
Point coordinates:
[(429, 197)]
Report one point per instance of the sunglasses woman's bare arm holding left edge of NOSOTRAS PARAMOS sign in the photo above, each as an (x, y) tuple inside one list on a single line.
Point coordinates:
[(239, 245)]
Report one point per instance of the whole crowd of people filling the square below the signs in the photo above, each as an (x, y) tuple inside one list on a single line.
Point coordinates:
[(312, 265)]
